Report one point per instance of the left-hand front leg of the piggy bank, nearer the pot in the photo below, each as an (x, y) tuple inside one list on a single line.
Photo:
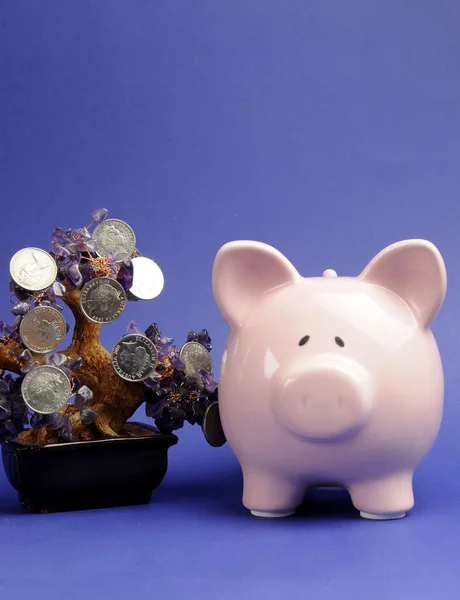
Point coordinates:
[(270, 494)]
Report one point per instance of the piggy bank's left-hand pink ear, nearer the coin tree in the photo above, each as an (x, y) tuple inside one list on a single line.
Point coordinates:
[(243, 273)]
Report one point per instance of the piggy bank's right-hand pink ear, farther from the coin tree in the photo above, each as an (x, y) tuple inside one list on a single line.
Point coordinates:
[(415, 271)]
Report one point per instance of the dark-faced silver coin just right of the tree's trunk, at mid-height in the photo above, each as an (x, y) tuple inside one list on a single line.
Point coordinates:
[(134, 357)]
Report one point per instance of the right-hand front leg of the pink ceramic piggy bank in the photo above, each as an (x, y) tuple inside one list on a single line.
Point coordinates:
[(386, 498)]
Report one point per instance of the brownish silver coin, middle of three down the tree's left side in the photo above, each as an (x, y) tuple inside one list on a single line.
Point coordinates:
[(42, 329)]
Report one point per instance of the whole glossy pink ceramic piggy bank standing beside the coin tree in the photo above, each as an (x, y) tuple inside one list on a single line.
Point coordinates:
[(330, 380)]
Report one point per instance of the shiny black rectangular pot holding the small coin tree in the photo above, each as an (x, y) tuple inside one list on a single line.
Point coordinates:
[(81, 475)]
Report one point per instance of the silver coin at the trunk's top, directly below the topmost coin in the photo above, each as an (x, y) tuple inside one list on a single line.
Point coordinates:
[(102, 299)]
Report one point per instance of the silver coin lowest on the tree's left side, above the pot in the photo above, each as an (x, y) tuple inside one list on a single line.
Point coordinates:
[(46, 389)]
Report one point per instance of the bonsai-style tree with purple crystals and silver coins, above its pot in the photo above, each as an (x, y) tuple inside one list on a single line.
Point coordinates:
[(85, 392)]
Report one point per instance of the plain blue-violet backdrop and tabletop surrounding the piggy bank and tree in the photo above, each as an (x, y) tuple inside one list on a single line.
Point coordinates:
[(327, 129)]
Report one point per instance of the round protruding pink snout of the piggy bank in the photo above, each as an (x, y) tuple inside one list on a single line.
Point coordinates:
[(324, 398)]
